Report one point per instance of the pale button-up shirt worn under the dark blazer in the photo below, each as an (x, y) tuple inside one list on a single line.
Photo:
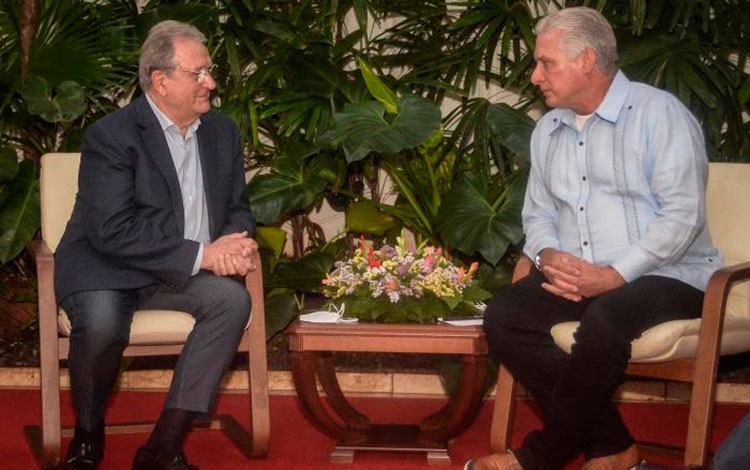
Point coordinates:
[(187, 163)]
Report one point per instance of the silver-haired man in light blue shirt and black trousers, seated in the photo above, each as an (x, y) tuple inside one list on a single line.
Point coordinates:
[(614, 219)]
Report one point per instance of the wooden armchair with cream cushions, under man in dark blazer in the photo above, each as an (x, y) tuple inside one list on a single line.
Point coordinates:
[(153, 333)]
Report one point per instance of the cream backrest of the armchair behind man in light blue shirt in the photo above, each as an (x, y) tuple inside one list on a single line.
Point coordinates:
[(727, 200)]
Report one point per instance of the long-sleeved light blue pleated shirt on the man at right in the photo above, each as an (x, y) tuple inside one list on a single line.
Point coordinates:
[(628, 190)]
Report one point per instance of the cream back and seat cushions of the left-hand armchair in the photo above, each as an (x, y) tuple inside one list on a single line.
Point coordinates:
[(149, 326)]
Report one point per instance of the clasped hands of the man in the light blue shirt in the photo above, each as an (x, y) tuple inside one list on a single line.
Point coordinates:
[(574, 278)]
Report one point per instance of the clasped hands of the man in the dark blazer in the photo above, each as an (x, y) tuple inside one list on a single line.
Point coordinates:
[(230, 255)]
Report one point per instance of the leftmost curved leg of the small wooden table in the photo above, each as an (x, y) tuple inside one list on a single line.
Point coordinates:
[(304, 367)]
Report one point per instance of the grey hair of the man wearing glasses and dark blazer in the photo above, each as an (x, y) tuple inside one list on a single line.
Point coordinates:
[(157, 51)]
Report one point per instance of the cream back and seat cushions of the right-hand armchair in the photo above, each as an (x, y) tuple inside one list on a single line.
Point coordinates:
[(729, 221)]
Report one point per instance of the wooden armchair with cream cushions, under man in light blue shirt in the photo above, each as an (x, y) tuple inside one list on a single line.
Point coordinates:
[(682, 350)]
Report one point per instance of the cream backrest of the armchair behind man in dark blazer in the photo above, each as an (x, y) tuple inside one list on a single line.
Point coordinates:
[(58, 186)]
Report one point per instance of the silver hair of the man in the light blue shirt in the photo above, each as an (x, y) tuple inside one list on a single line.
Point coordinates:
[(583, 28)]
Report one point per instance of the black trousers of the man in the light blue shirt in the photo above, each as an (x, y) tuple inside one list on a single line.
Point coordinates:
[(575, 390)]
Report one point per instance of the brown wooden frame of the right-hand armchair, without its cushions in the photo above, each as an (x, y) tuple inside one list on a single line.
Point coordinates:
[(700, 371)]
